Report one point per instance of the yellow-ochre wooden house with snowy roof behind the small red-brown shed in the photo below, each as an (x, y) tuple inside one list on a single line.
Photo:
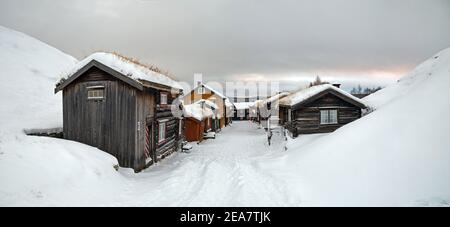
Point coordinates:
[(204, 92)]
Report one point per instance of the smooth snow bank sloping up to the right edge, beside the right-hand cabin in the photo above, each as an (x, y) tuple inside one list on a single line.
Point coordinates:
[(397, 155)]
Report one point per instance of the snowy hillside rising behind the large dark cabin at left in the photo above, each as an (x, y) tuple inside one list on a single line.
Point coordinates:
[(29, 70)]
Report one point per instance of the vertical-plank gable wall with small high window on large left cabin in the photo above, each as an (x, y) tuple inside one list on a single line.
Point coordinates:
[(109, 124)]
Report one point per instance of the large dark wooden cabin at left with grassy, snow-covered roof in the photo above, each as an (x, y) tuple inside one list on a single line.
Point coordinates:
[(122, 107)]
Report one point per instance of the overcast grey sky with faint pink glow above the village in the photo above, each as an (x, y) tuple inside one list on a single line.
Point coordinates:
[(349, 41)]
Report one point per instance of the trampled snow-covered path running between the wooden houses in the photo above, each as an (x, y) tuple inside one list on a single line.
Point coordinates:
[(226, 171)]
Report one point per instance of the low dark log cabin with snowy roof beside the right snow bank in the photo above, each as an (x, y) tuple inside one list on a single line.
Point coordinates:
[(319, 109)]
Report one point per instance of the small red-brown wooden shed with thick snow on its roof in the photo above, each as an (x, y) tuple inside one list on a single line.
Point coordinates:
[(198, 120)]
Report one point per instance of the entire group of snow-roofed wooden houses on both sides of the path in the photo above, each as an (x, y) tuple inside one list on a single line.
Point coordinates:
[(139, 115)]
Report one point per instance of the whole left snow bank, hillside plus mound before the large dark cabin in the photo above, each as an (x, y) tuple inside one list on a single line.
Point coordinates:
[(35, 170)]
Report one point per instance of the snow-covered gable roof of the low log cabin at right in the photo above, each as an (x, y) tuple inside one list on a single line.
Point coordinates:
[(303, 95)]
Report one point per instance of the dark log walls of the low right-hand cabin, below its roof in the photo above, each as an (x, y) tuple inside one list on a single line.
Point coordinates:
[(306, 118)]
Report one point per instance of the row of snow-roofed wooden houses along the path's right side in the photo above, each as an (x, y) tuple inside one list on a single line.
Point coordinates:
[(317, 109)]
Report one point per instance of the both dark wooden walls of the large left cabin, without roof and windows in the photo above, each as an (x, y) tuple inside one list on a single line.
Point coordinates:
[(117, 123)]
